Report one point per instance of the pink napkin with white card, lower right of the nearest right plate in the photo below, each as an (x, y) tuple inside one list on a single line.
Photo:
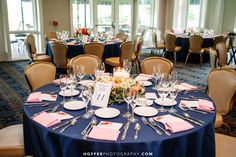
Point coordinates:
[(174, 124)]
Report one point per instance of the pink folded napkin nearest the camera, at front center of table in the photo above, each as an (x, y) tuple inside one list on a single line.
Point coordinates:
[(102, 133)]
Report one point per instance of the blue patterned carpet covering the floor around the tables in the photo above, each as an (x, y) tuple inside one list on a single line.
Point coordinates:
[(14, 89)]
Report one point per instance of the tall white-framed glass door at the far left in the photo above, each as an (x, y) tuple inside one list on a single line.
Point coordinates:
[(22, 20)]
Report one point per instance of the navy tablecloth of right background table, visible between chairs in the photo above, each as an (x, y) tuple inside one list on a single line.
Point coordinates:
[(183, 42)]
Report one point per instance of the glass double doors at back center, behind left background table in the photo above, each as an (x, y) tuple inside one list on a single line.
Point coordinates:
[(113, 16)]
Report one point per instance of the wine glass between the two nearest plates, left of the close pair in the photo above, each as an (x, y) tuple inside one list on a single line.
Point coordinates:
[(128, 96)]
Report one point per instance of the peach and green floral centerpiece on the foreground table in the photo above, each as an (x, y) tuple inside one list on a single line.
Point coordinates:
[(118, 85)]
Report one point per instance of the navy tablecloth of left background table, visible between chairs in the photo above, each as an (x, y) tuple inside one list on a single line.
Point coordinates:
[(110, 50)]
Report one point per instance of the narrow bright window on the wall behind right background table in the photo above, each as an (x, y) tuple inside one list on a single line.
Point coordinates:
[(193, 18)]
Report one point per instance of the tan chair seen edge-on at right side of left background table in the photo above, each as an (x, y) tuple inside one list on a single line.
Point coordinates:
[(136, 53)]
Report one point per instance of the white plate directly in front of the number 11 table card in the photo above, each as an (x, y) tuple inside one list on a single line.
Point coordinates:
[(107, 112)]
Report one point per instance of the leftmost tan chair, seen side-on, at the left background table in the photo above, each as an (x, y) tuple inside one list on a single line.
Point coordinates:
[(32, 51)]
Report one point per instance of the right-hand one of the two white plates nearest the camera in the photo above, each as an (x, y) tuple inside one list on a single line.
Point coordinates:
[(145, 111)]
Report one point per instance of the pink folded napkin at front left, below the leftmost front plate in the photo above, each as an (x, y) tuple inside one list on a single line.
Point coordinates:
[(46, 120)]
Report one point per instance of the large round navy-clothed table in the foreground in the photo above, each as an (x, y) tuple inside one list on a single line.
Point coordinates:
[(44, 142)]
